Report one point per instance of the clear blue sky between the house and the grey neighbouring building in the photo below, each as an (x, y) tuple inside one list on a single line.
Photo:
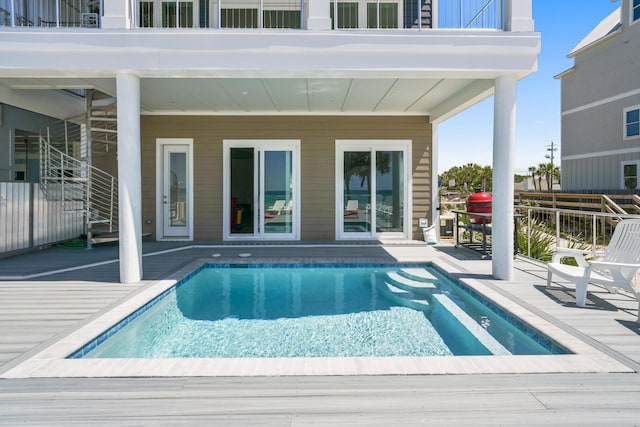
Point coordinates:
[(468, 136)]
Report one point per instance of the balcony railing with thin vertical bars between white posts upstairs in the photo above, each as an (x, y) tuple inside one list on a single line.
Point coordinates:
[(260, 14)]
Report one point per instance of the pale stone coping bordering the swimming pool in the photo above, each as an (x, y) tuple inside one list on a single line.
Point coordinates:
[(51, 361)]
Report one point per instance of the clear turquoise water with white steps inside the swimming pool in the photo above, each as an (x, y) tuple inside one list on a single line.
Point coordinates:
[(224, 312)]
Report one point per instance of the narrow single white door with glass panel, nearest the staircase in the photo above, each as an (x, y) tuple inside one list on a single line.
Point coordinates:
[(176, 191)]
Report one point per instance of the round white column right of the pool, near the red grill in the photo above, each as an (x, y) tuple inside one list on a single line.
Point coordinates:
[(504, 140)]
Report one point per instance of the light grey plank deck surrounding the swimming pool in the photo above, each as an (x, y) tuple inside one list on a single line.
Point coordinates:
[(40, 310)]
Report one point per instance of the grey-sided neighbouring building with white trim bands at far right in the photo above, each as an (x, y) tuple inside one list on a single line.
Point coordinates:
[(601, 106)]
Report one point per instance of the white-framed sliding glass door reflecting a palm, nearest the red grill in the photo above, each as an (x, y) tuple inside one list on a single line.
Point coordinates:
[(372, 184)]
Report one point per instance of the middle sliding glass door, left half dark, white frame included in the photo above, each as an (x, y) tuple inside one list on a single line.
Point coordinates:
[(261, 190)]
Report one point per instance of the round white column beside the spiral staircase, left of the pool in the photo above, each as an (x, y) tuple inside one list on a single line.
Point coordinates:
[(129, 178)]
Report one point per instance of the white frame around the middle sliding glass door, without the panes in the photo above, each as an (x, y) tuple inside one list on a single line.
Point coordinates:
[(261, 144)]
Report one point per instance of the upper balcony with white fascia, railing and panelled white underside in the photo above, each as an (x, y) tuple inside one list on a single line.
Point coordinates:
[(427, 57)]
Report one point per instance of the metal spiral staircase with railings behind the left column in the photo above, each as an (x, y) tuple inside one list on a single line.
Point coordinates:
[(66, 171)]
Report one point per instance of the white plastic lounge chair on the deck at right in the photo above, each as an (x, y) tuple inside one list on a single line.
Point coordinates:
[(616, 270)]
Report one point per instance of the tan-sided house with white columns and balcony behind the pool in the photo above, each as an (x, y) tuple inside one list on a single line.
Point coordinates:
[(250, 121)]
